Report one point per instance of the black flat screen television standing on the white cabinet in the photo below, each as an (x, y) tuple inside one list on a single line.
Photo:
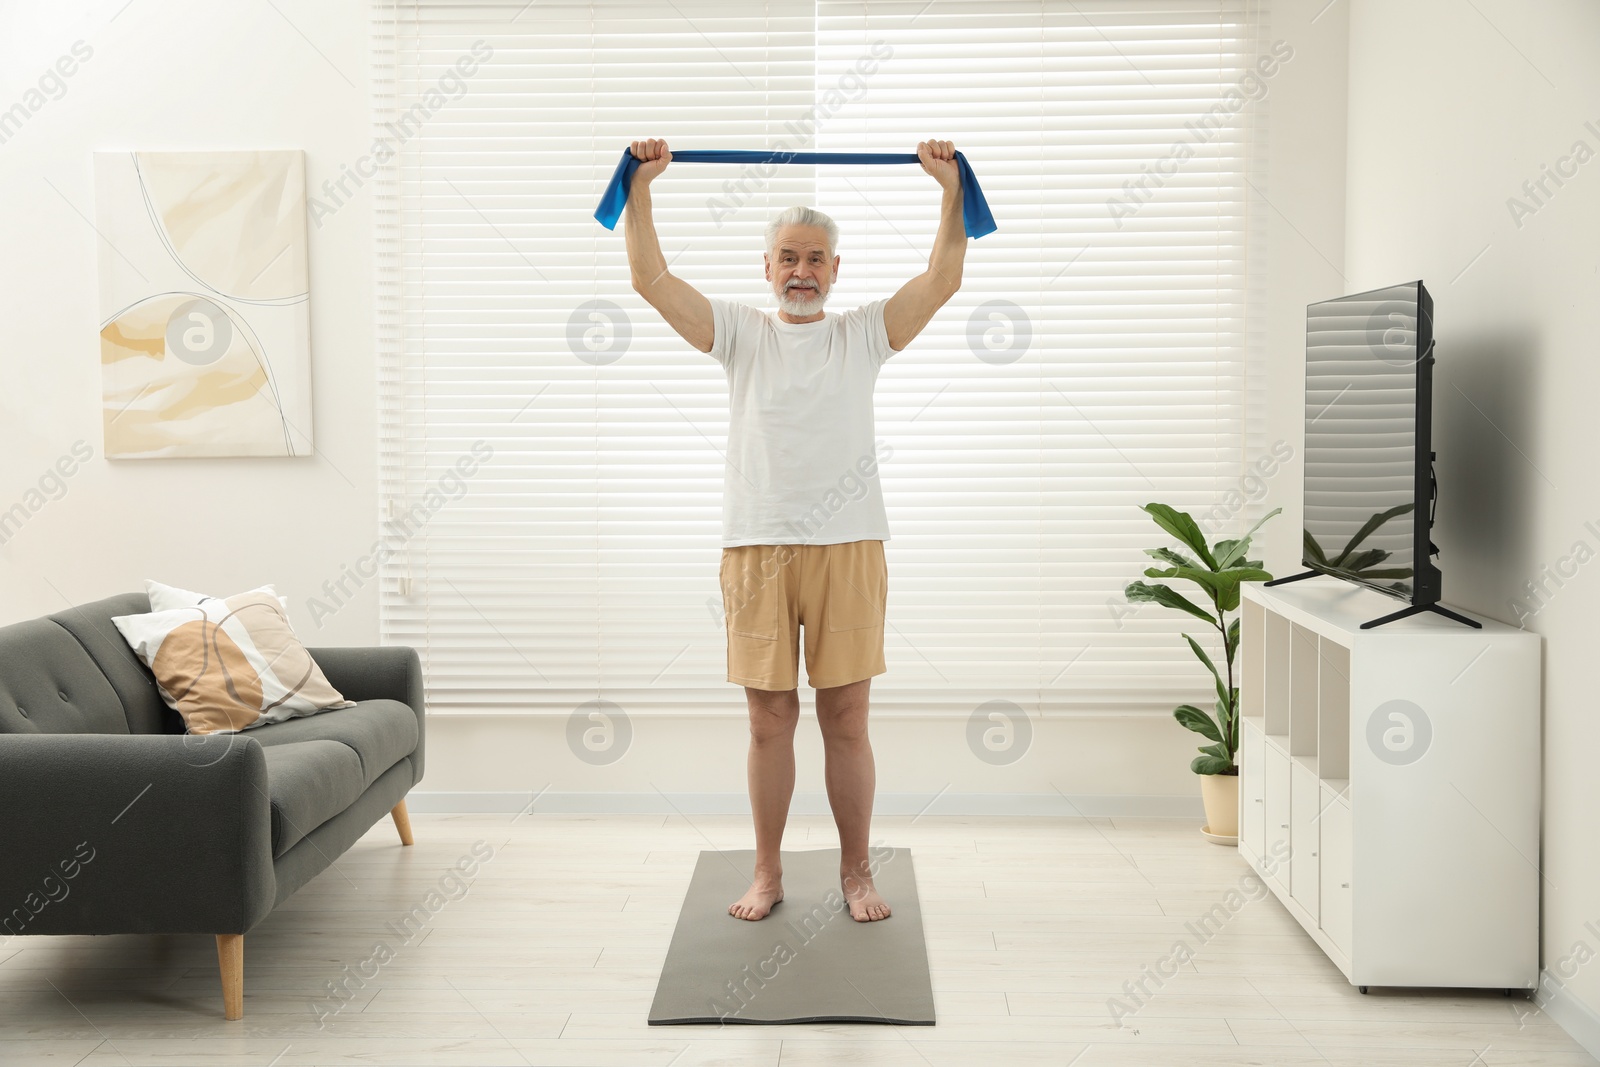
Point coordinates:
[(1369, 452)]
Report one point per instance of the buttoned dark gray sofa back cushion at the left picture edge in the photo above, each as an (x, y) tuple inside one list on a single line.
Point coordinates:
[(50, 685)]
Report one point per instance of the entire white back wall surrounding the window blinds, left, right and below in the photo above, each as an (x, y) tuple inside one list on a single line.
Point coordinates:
[(167, 74)]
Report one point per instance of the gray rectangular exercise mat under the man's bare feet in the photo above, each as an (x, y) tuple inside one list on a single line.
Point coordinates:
[(806, 962)]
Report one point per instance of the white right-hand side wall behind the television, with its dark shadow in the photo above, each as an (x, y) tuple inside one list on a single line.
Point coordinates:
[(1452, 108)]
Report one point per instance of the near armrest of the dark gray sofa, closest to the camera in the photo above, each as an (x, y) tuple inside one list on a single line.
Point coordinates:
[(108, 834)]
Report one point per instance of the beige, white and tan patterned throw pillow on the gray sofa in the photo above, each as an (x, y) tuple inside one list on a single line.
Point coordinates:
[(230, 665)]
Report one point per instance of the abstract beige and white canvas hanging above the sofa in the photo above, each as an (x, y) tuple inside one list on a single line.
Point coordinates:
[(206, 316)]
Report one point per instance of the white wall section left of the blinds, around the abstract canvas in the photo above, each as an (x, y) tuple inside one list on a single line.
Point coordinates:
[(166, 74)]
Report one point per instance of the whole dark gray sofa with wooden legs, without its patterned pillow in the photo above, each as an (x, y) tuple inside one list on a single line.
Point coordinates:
[(114, 821)]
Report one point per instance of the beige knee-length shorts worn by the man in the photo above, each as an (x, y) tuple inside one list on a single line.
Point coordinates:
[(838, 593)]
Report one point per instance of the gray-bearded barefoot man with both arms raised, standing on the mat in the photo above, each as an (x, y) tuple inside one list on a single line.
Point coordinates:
[(804, 524)]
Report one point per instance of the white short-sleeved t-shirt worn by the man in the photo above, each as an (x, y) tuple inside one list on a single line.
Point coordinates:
[(802, 460)]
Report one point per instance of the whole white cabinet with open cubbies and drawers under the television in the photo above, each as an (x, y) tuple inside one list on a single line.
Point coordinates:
[(1390, 785)]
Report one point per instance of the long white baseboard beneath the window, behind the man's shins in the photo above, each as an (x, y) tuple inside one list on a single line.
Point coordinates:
[(1100, 807)]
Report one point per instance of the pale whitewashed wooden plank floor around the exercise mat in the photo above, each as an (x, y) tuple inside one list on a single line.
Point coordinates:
[(551, 957)]
